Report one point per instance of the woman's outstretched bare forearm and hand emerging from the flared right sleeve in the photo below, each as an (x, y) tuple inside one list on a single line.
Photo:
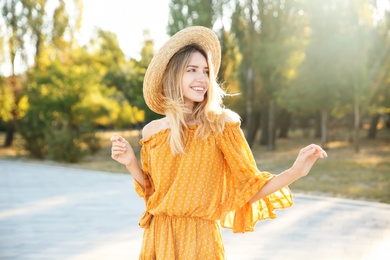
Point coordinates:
[(301, 167)]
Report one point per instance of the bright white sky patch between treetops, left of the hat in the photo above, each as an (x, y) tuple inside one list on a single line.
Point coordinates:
[(128, 19)]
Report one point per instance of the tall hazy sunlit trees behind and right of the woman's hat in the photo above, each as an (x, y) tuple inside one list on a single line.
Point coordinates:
[(299, 59)]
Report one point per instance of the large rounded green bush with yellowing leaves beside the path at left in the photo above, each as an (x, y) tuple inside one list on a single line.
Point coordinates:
[(62, 116)]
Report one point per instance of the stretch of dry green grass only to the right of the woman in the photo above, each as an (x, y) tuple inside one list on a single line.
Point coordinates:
[(344, 173)]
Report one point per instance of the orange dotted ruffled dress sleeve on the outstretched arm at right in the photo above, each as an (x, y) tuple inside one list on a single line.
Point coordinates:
[(243, 181)]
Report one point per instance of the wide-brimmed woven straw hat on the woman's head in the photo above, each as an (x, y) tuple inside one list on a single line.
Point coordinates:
[(202, 36)]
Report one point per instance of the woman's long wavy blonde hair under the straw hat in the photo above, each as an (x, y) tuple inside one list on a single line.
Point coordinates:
[(209, 113)]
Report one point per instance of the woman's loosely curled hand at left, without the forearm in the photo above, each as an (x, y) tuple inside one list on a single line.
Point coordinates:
[(121, 151)]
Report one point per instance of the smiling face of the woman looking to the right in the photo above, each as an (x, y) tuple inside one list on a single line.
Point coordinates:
[(195, 80)]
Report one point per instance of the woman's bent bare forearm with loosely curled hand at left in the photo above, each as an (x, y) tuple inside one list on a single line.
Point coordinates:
[(122, 152)]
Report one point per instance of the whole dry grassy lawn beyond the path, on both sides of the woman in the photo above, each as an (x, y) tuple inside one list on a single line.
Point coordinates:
[(344, 173)]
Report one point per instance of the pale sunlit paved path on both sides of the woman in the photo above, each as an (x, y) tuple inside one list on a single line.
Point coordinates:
[(57, 213)]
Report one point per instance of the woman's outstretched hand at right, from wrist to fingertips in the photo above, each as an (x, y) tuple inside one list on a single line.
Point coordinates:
[(306, 158)]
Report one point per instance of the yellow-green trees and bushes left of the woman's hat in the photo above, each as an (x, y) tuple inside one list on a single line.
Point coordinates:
[(69, 91)]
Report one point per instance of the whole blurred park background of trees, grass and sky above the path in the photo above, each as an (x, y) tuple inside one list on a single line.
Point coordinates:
[(71, 74)]
